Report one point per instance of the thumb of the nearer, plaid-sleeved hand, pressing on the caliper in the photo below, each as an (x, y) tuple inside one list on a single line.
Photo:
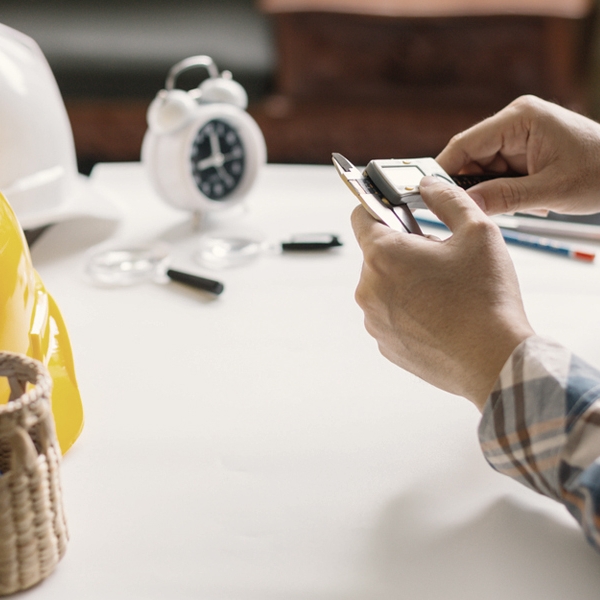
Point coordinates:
[(450, 203)]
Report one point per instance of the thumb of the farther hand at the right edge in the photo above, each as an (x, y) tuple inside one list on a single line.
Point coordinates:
[(511, 194)]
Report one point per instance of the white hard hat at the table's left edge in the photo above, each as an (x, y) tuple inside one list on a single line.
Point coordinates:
[(38, 168)]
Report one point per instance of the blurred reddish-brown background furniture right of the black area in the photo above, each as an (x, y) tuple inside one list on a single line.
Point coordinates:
[(400, 77)]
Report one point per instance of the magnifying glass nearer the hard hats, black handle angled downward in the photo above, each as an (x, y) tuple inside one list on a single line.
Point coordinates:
[(137, 264)]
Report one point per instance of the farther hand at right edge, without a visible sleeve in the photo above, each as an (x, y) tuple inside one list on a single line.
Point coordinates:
[(557, 151)]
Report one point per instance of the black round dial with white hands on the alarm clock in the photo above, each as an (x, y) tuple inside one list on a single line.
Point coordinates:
[(217, 159)]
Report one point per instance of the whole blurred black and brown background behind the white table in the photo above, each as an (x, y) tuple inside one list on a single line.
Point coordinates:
[(368, 78)]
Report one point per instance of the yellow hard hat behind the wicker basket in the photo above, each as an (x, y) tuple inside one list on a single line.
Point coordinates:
[(31, 324)]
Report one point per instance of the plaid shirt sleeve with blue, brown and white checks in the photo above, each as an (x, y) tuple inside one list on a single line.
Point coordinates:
[(541, 426)]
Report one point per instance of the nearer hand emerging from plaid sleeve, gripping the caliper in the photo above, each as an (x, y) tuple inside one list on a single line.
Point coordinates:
[(448, 311)]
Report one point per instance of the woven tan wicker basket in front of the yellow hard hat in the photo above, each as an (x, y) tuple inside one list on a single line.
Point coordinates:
[(33, 533)]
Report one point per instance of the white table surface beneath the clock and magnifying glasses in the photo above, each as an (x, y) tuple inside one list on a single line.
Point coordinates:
[(256, 446)]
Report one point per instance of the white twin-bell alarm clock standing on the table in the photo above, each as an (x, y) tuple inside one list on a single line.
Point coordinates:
[(202, 150)]
